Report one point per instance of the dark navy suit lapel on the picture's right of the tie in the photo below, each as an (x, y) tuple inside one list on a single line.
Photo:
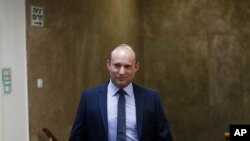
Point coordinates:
[(139, 103)]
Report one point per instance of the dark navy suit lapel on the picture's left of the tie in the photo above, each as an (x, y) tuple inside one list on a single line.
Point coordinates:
[(103, 107)]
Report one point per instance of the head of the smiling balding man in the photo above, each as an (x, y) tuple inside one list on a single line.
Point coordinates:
[(122, 65)]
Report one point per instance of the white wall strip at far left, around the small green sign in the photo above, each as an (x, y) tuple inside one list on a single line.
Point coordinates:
[(14, 106)]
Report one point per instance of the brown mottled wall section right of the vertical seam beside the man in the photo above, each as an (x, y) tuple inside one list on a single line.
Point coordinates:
[(199, 53)]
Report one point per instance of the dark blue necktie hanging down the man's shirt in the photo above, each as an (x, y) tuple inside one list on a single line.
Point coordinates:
[(121, 117)]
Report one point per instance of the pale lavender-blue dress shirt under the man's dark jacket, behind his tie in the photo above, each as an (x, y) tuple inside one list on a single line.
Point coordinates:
[(112, 102)]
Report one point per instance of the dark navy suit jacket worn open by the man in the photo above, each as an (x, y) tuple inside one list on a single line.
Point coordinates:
[(91, 123)]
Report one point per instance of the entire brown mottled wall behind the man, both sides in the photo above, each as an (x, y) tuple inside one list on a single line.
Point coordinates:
[(195, 52)]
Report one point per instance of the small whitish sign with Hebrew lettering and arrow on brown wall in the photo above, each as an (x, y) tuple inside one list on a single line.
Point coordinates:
[(37, 16)]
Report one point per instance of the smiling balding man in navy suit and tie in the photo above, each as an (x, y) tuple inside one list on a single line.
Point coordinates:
[(120, 110)]
